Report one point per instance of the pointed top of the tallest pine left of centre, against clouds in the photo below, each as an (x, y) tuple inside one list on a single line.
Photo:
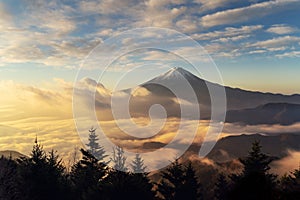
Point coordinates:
[(94, 148)]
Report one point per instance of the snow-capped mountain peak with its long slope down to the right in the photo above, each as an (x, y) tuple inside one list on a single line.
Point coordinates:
[(237, 99)]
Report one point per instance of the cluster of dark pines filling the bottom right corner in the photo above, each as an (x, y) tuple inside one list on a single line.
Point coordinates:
[(256, 182)]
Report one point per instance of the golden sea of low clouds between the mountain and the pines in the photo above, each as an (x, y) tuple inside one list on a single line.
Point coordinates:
[(53, 121)]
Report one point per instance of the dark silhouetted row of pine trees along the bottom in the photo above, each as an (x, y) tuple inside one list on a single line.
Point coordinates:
[(42, 176)]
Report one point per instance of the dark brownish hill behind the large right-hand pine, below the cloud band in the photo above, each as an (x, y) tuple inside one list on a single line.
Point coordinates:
[(233, 147)]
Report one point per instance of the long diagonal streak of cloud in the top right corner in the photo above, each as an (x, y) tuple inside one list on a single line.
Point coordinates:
[(254, 11)]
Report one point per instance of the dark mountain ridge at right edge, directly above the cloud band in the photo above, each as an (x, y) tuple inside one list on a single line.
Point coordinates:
[(271, 113)]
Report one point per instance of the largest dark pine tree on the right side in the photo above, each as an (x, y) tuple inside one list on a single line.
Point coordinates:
[(255, 182)]
